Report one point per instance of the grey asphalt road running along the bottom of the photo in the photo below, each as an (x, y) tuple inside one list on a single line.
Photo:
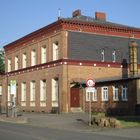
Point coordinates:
[(10, 131)]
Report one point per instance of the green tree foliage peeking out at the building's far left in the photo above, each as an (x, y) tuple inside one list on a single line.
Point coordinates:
[(2, 61)]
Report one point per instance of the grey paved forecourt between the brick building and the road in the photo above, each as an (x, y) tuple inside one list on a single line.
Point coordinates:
[(77, 123)]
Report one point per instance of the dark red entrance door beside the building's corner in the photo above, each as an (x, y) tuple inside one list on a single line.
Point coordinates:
[(75, 97)]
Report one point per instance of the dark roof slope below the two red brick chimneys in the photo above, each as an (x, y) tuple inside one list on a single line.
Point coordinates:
[(91, 20)]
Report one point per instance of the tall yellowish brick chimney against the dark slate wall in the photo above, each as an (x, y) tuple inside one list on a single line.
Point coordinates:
[(133, 56)]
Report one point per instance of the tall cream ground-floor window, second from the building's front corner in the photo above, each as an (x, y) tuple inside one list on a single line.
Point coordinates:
[(43, 90)]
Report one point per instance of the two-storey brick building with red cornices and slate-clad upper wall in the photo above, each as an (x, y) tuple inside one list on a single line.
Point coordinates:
[(50, 66)]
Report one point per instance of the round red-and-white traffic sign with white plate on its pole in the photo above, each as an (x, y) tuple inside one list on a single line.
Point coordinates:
[(90, 88)]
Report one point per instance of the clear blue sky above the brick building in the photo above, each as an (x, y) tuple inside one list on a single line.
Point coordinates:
[(21, 17)]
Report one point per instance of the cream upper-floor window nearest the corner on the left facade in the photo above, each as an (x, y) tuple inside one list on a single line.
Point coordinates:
[(55, 51)]
